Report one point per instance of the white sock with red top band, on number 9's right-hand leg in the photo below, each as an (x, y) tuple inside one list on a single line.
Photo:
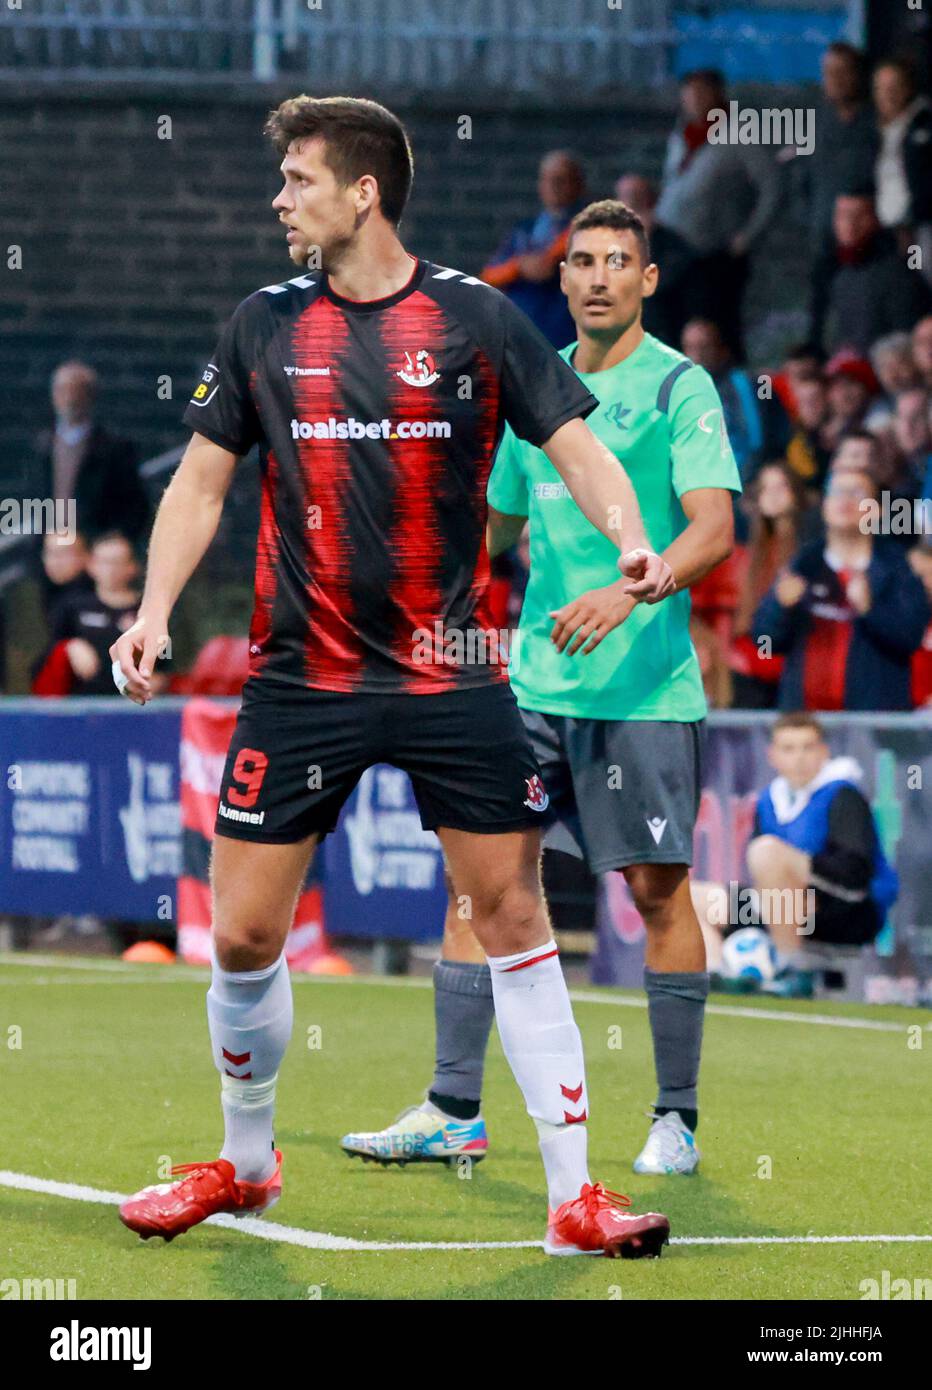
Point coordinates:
[(542, 1045)]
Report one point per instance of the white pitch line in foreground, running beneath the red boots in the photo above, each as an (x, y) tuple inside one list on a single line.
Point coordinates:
[(322, 1241)]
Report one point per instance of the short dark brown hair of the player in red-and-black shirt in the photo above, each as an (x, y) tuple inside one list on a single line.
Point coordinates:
[(360, 137)]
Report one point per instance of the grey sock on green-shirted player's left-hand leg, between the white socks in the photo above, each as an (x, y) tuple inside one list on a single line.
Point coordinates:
[(465, 1011)]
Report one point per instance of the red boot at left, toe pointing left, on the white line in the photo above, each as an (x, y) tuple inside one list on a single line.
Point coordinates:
[(208, 1189)]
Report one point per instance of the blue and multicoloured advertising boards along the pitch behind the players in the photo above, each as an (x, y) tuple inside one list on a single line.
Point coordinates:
[(91, 821)]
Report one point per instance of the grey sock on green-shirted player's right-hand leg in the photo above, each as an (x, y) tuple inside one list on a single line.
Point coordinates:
[(677, 1008)]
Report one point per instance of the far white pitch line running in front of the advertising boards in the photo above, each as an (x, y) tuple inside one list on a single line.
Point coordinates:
[(127, 972)]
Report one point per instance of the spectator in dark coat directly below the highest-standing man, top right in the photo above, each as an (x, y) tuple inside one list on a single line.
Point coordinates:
[(862, 287)]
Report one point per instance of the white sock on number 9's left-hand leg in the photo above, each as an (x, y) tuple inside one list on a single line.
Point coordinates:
[(251, 1017)]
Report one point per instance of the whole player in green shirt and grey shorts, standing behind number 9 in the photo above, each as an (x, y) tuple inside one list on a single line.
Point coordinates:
[(610, 690)]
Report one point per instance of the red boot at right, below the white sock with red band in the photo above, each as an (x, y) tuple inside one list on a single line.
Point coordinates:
[(594, 1225)]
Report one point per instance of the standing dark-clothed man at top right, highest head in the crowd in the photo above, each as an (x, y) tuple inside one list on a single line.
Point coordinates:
[(847, 144)]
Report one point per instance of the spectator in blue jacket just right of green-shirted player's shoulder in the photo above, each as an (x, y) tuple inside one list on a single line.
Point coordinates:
[(758, 429)]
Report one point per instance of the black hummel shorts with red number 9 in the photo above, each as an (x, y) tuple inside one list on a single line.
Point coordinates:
[(297, 755)]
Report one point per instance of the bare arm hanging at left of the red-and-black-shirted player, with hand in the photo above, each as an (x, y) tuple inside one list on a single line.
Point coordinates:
[(185, 526)]
